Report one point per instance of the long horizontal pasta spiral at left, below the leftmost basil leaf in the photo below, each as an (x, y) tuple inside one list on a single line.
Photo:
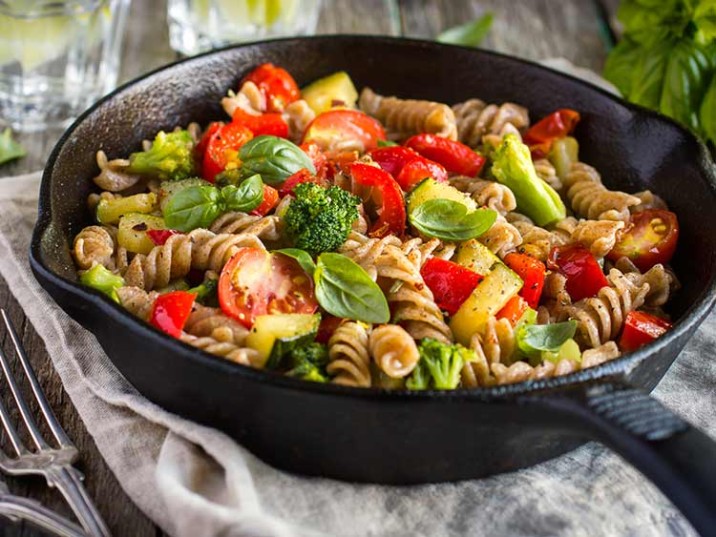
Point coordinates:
[(199, 249)]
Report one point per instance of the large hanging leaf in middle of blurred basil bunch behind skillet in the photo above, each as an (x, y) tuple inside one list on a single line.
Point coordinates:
[(685, 83)]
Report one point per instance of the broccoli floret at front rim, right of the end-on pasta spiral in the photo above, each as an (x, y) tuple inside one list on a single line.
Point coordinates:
[(439, 366)]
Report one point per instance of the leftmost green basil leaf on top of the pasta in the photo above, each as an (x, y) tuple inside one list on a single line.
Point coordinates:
[(193, 207)]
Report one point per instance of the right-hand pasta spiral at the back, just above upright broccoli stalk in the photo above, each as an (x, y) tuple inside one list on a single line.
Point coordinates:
[(476, 119)]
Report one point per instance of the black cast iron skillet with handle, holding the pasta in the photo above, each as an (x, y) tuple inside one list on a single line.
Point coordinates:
[(402, 437)]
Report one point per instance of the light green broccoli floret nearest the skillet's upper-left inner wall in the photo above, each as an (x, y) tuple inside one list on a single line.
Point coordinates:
[(170, 157)]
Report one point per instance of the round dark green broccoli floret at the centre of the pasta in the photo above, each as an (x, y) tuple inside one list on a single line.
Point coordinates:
[(320, 219)]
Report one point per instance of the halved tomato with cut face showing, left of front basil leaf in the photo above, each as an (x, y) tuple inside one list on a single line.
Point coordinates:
[(256, 282)]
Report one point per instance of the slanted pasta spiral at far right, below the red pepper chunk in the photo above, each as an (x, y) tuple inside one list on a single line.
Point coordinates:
[(599, 319)]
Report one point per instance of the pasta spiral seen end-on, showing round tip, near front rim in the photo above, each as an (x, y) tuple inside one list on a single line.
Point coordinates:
[(393, 350)]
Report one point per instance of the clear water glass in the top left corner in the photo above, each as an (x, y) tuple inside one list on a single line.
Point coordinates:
[(57, 58)]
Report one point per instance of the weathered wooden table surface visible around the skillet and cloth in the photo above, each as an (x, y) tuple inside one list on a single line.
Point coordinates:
[(532, 29)]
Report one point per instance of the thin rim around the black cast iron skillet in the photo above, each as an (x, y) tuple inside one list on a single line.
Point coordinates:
[(615, 369)]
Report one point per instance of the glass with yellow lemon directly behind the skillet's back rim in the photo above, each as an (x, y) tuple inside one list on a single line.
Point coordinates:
[(200, 25)]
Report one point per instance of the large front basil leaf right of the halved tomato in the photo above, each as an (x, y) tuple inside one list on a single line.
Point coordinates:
[(344, 289)]
